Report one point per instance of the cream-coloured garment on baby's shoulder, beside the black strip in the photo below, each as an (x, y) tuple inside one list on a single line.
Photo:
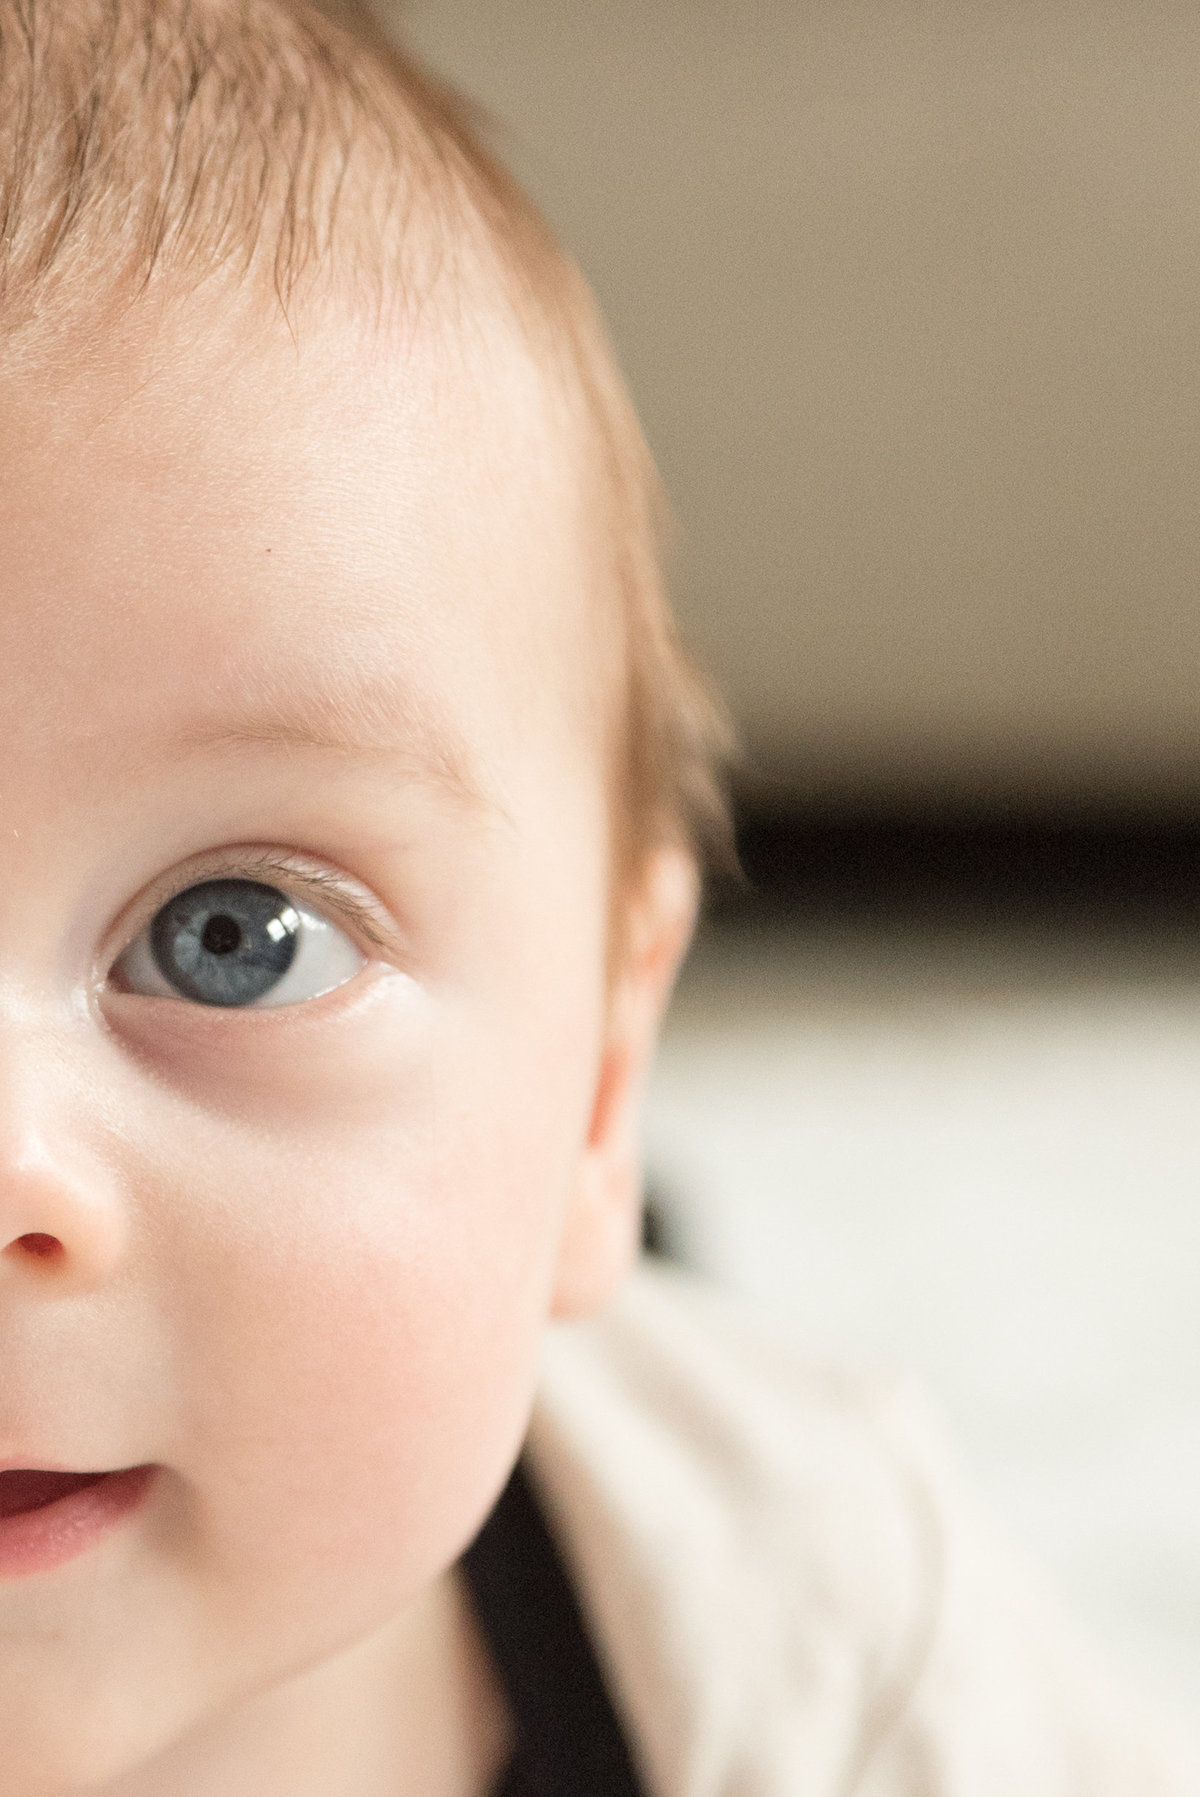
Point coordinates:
[(790, 1589)]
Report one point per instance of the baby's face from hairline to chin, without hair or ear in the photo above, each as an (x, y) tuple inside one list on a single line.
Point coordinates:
[(303, 991)]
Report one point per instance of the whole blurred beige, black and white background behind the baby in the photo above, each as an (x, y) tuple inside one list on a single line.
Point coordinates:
[(908, 296)]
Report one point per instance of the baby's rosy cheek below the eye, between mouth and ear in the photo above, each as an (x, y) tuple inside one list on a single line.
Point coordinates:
[(358, 1341)]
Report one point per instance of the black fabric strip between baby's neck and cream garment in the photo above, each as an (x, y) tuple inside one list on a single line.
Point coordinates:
[(570, 1742)]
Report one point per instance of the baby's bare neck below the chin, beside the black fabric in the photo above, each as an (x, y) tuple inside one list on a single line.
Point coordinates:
[(410, 1712)]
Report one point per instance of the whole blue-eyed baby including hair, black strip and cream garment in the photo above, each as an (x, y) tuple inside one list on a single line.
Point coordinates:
[(355, 792)]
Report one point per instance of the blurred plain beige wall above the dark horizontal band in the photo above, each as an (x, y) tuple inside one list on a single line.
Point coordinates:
[(910, 301)]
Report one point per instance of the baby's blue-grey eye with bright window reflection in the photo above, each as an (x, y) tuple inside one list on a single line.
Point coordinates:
[(238, 943)]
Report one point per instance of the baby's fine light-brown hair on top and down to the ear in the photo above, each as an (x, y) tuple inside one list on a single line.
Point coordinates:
[(168, 141)]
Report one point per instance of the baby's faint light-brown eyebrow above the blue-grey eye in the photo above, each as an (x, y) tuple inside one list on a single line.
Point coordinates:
[(367, 721)]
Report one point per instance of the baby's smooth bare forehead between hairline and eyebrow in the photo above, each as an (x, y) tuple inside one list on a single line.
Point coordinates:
[(369, 527)]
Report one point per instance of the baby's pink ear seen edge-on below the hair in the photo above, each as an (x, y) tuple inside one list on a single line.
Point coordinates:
[(604, 1221)]
